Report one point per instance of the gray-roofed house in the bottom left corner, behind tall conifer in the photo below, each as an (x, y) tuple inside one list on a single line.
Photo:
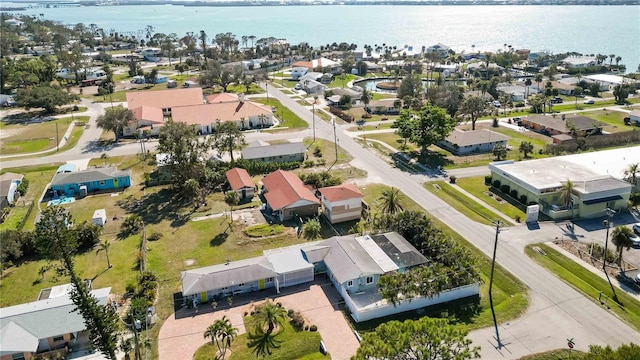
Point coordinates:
[(44, 318)]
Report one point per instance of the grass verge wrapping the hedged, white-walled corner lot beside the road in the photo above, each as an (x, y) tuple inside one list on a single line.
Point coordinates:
[(509, 295)]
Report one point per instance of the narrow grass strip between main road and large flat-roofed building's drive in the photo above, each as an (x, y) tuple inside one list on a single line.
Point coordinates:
[(461, 202)]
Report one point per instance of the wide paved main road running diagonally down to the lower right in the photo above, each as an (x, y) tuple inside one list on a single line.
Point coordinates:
[(557, 311)]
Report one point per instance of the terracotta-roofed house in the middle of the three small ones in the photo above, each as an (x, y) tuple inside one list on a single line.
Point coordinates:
[(287, 196)]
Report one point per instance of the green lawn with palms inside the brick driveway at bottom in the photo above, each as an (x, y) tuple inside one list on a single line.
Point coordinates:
[(292, 344)]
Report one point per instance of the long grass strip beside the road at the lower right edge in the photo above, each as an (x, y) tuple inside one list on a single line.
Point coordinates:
[(590, 284)]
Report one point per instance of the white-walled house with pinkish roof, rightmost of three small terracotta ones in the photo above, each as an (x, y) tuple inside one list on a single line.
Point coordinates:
[(341, 203)]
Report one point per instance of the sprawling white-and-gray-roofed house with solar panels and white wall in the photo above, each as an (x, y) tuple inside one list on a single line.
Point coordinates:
[(353, 264)]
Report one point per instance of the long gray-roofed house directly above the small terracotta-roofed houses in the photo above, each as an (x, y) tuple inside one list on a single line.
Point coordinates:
[(261, 151)]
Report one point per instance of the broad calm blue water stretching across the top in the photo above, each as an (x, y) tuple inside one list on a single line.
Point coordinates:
[(585, 29)]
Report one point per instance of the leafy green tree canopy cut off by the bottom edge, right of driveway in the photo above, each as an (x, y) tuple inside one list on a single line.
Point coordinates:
[(423, 339)]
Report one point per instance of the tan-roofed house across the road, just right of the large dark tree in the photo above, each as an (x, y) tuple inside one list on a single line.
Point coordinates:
[(474, 141)]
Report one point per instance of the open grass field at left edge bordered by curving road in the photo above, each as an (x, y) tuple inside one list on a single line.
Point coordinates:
[(26, 137)]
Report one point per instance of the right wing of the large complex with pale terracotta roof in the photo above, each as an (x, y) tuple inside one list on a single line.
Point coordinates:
[(206, 117)]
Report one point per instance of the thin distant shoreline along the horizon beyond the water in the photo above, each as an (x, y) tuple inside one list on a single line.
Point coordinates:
[(31, 4)]
